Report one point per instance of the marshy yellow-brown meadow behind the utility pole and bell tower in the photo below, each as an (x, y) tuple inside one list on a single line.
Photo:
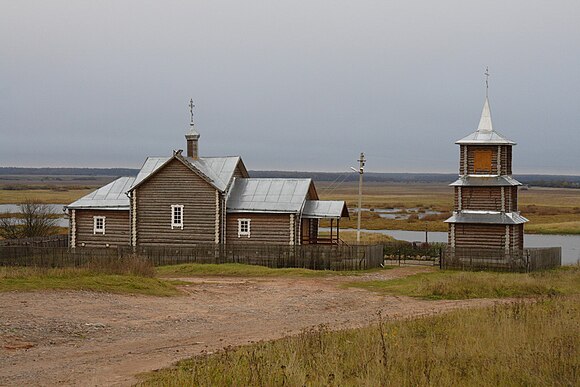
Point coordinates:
[(550, 210)]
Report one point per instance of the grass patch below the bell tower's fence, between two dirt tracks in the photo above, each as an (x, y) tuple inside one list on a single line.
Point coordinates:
[(456, 285)]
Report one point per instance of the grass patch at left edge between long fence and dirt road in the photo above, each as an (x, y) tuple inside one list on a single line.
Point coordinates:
[(31, 279)]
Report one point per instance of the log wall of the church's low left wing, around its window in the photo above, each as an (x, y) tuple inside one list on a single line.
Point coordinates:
[(117, 228)]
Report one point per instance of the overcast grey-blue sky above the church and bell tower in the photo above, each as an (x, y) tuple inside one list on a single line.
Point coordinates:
[(292, 85)]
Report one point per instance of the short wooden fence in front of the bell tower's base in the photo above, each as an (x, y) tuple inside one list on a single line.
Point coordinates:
[(526, 260)]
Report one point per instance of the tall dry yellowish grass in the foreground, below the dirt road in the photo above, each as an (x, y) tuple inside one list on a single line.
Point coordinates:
[(519, 344)]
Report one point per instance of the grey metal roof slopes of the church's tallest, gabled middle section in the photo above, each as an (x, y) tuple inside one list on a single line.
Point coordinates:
[(219, 170)]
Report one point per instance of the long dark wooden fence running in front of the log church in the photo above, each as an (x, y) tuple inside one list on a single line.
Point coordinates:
[(316, 257)]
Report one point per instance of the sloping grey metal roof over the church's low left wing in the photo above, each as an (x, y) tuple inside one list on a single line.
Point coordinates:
[(109, 197)]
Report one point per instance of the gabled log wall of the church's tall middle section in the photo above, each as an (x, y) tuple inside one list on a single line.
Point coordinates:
[(176, 184)]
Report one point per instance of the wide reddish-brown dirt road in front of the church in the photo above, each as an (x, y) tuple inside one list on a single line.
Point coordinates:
[(85, 338)]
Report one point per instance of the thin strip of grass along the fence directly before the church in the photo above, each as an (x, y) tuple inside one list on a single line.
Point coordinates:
[(239, 270)]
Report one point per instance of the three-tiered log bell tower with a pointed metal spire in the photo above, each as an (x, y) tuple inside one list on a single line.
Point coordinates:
[(486, 212)]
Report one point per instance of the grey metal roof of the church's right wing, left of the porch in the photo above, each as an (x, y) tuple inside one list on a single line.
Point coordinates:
[(268, 195)]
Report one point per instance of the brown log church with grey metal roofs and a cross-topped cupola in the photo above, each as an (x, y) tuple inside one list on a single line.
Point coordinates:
[(188, 200)]
